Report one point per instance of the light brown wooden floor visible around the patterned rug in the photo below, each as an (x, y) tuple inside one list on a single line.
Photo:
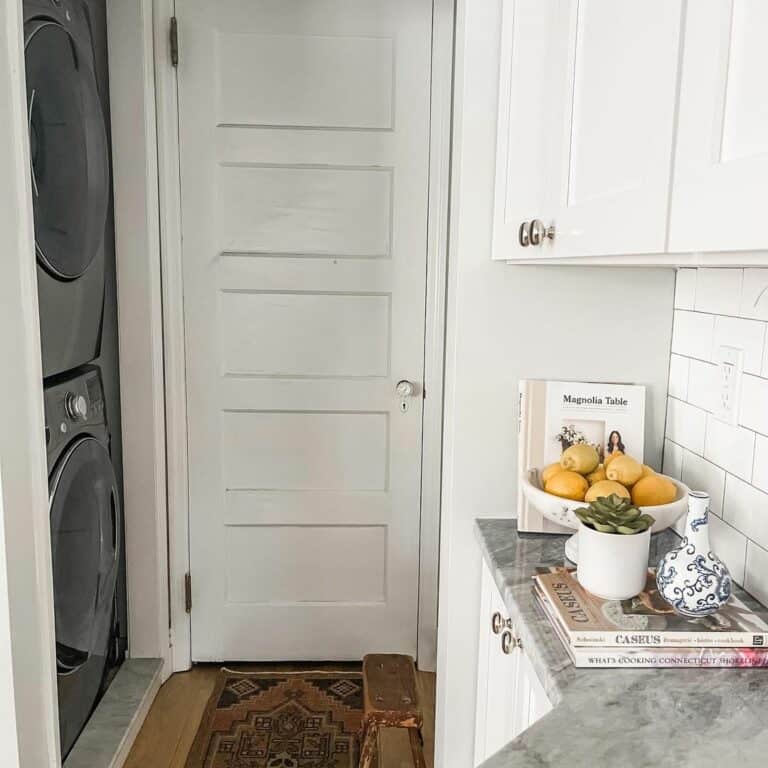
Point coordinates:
[(169, 730)]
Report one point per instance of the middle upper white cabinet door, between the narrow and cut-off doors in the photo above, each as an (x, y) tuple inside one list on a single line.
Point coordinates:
[(619, 62)]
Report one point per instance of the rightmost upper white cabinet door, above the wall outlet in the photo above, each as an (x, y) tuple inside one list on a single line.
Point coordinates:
[(720, 183)]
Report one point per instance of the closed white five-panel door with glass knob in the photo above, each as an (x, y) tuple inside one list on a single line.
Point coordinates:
[(304, 134)]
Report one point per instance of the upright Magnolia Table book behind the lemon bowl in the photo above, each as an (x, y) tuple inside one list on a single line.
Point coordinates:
[(553, 415)]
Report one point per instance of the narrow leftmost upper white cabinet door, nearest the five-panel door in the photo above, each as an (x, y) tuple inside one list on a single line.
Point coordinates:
[(525, 139)]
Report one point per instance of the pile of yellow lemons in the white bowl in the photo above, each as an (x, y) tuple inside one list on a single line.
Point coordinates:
[(580, 476)]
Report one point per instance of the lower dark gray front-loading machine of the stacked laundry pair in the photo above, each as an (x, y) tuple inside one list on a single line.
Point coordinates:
[(85, 542)]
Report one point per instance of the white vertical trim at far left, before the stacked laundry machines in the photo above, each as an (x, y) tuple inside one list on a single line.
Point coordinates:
[(30, 735)]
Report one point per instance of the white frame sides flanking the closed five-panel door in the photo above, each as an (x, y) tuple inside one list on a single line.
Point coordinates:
[(173, 329)]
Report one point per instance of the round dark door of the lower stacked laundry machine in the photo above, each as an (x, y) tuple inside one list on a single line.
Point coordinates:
[(85, 545)]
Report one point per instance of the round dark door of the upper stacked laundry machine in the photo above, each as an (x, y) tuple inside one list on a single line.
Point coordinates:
[(68, 147)]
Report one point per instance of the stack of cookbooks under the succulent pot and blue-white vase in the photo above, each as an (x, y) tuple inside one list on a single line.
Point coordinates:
[(644, 631)]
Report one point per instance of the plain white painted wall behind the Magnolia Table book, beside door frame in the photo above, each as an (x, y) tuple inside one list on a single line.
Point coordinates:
[(507, 323)]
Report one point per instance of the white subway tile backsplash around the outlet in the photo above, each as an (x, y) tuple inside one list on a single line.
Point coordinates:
[(715, 307)]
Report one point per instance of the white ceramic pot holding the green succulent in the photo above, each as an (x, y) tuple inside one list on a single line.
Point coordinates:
[(613, 565)]
